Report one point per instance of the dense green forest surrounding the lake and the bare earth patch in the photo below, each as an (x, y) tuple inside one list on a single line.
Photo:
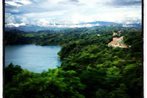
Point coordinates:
[(89, 69)]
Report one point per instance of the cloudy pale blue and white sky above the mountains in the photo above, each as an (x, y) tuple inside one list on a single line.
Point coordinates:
[(52, 12)]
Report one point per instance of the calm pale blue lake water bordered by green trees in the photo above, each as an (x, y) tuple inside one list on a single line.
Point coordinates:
[(33, 57)]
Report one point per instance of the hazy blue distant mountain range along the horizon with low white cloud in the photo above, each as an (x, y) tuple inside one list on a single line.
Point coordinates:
[(35, 28)]
